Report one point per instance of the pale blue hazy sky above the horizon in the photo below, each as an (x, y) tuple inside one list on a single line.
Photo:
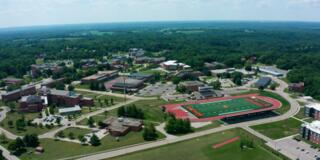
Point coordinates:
[(15, 13)]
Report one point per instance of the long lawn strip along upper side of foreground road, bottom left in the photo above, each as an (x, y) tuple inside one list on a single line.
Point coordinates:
[(61, 149)]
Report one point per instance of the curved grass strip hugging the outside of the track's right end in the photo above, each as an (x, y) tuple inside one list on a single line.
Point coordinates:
[(285, 104)]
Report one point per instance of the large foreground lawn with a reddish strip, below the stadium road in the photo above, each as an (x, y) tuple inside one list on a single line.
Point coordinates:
[(201, 149)]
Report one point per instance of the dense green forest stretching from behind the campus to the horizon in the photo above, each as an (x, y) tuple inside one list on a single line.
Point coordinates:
[(294, 46)]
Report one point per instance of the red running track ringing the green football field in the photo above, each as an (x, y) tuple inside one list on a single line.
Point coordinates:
[(177, 110)]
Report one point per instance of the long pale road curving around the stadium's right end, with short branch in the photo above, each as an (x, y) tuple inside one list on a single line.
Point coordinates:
[(293, 110)]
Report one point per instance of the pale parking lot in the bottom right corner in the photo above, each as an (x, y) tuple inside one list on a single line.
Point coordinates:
[(296, 149)]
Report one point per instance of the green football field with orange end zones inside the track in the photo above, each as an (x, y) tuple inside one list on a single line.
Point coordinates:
[(223, 107)]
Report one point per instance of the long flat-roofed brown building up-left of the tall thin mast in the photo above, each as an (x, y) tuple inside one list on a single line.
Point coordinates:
[(101, 76)]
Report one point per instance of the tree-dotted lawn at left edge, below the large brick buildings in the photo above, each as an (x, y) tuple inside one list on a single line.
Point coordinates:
[(28, 129)]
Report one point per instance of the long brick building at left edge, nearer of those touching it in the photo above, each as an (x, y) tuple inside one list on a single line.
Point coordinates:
[(18, 93)]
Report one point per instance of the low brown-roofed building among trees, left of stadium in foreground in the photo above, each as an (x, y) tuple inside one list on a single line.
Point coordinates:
[(122, 126)]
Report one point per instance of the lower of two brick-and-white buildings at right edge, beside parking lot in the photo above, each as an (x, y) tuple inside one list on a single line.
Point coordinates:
[(311, 131)]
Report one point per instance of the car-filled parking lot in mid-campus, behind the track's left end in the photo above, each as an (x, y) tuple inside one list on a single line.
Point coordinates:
[(157, 90)]
